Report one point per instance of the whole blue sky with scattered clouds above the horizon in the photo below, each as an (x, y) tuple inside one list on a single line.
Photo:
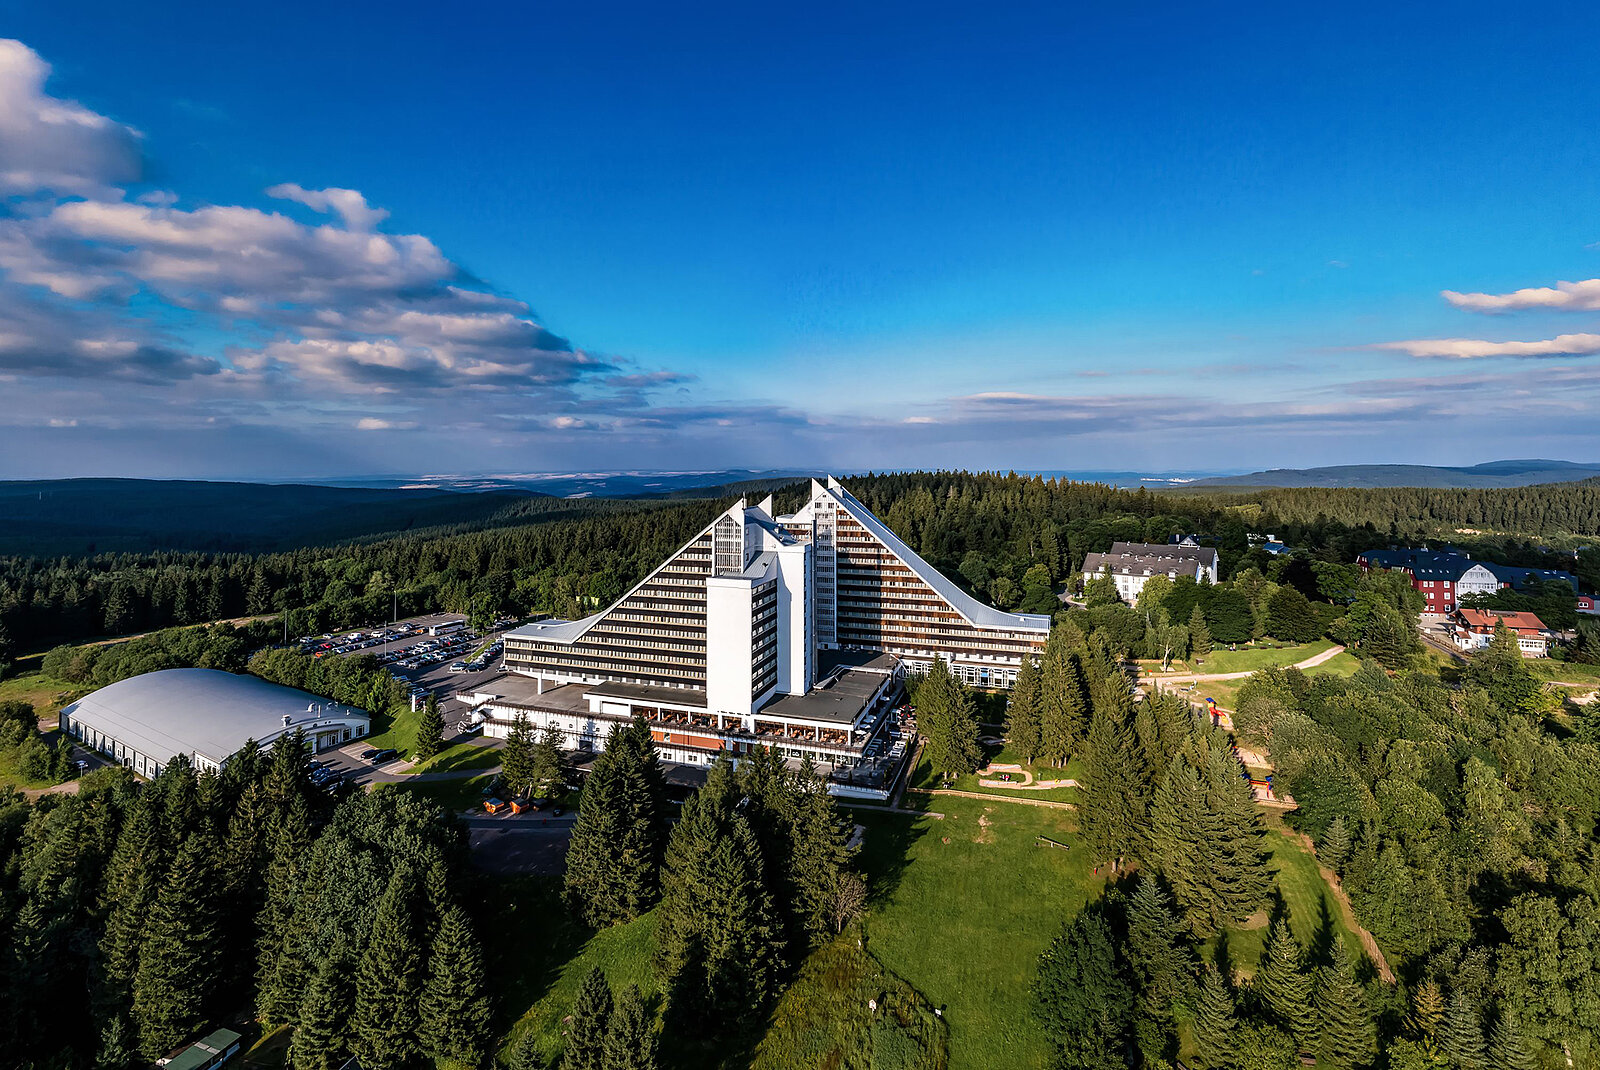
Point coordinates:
[(809, 236)]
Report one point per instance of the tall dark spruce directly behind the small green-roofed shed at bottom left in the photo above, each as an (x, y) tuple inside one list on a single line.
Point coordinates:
[(180, 967)]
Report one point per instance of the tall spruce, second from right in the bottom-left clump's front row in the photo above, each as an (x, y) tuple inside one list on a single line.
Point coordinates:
[(388, 980)]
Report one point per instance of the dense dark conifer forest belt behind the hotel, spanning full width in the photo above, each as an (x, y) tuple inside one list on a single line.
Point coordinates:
[(1009, 538)]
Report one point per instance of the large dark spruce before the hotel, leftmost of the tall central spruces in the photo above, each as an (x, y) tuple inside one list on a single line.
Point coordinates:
[(614, 861)]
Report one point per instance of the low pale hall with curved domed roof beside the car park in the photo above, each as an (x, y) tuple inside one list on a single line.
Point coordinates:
[(145, 722)]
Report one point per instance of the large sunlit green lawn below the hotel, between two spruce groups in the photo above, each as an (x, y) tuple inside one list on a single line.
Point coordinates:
[(962, 909)]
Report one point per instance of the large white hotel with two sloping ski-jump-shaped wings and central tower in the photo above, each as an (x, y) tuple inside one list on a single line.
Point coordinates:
[(762, 631)]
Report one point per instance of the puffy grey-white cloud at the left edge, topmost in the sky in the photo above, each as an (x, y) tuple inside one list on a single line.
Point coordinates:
[(54, 145)]
